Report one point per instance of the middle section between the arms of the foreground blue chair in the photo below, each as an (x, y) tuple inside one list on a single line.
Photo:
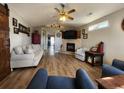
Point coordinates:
[(59, 82)]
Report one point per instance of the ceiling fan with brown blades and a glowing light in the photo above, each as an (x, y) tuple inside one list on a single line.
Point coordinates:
[(63, 14)]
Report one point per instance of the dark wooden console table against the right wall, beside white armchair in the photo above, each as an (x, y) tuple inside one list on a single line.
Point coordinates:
[(93, 55)]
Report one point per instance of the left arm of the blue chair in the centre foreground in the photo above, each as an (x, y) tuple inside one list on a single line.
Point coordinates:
[(39, 81)]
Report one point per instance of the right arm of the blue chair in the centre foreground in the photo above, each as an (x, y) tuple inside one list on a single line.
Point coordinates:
[(83, 81)]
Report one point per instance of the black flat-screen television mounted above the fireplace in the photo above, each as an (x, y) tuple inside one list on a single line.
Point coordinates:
[(70, 34)]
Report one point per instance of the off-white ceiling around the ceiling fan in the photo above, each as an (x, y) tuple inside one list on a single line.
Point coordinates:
[(42, 13)]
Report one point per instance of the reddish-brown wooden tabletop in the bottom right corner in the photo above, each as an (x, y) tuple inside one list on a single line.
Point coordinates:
[(113, 82)]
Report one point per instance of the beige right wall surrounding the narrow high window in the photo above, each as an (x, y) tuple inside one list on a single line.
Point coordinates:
[(113, 37)]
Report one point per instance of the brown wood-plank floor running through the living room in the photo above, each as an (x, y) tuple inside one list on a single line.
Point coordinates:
[(58, 64)]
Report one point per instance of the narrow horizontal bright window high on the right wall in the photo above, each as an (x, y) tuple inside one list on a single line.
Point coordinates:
[(100, 25)]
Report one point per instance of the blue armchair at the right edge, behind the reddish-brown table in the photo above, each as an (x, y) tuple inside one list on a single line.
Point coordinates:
[(117, 68)]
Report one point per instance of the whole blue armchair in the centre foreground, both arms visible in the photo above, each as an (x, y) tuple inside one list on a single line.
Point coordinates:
[(41, 80)]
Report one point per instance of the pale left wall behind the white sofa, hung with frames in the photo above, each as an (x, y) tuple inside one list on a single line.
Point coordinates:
[(21, 38)]
